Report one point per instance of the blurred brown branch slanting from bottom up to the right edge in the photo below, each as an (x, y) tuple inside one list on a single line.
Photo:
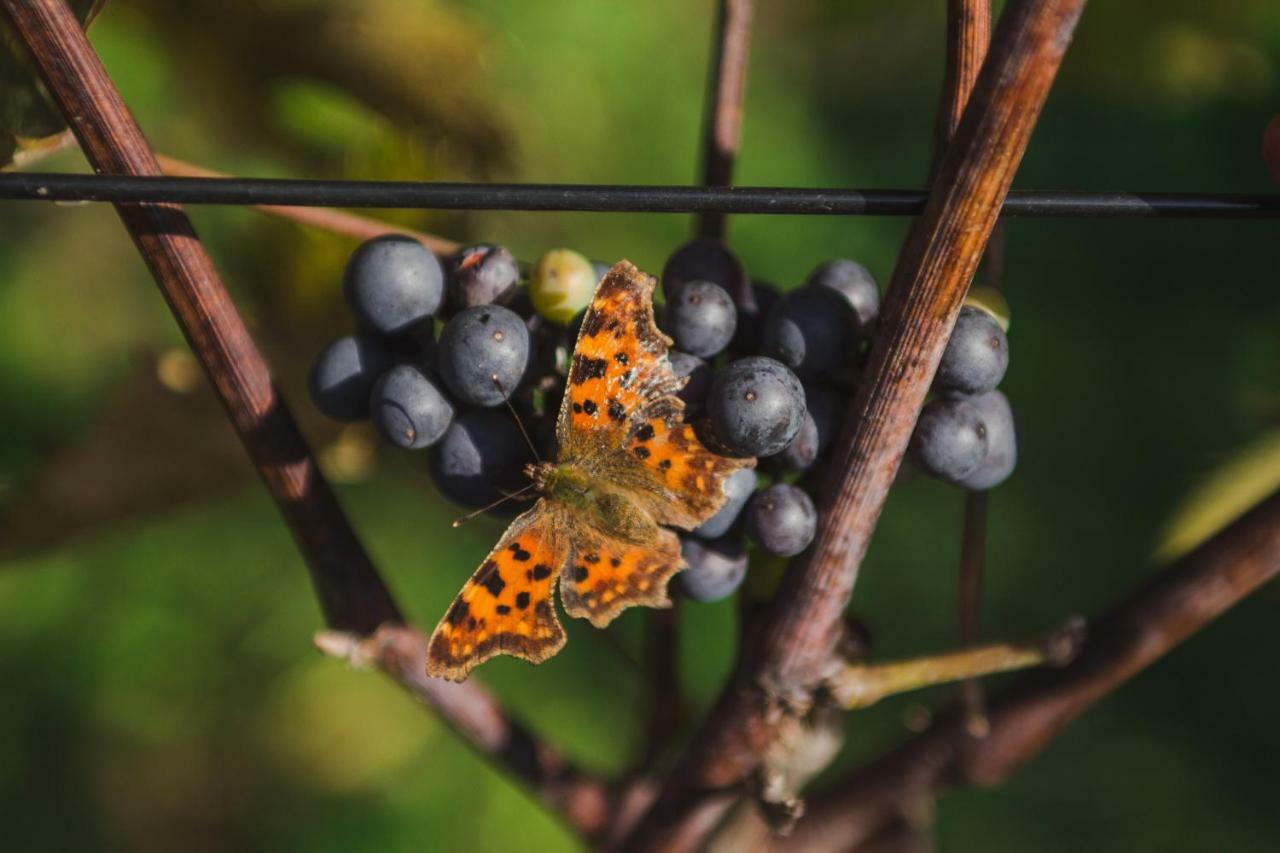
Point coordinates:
[(1025, 719)]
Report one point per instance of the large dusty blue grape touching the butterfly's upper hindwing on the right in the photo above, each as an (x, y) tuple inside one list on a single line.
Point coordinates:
[(756, 407)]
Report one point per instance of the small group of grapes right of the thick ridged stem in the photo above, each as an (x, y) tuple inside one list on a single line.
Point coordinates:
[(966, 434)]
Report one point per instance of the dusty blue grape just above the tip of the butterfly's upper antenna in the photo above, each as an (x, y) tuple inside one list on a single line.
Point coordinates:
[(483, 354)]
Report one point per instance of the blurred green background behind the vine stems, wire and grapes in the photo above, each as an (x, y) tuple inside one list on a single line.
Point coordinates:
[(156, 621)]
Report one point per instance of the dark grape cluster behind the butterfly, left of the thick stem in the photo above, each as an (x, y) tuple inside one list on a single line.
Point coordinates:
[(442, 348)]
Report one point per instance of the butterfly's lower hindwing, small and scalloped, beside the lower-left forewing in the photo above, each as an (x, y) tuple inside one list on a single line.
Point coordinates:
[(607, 574)]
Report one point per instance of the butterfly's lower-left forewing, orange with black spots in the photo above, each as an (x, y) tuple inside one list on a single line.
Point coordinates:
[(506, 608)]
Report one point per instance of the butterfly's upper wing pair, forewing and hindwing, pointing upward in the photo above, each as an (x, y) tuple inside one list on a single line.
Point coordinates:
[(620, 418)]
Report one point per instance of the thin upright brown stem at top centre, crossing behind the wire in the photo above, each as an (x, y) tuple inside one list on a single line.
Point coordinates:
[(726, 90)]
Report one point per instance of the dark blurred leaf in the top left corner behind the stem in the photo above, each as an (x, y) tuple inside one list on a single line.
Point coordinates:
[(28, 115)]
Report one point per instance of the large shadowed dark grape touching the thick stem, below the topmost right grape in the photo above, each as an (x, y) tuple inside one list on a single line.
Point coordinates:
[(812, 331)]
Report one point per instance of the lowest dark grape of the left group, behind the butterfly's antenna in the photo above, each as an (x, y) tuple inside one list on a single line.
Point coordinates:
[(479, 459)]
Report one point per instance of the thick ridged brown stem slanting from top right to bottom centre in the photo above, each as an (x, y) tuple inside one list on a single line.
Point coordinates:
[(939, 258)]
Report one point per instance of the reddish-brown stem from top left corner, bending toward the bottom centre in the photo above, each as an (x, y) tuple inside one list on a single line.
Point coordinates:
[(353, 595)]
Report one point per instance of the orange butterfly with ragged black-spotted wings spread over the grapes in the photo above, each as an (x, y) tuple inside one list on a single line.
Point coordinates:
[(628, 466)]
